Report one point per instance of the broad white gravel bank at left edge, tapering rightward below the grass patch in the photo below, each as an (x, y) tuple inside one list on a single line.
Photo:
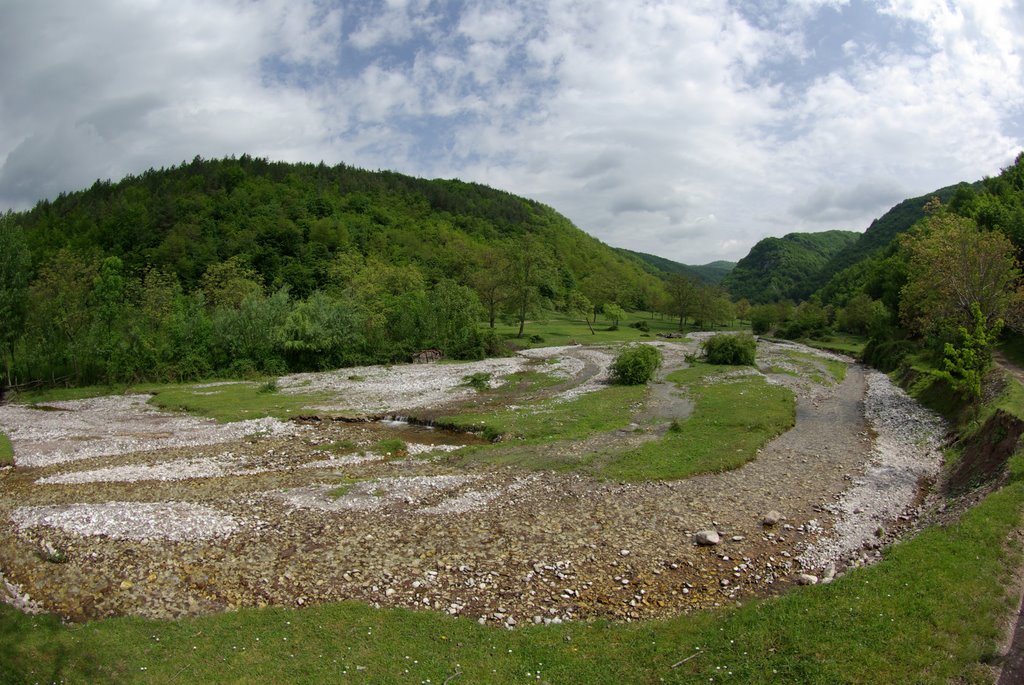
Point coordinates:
[(80, 430)]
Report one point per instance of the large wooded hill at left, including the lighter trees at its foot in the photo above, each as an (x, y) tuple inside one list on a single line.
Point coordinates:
[(241, 266)]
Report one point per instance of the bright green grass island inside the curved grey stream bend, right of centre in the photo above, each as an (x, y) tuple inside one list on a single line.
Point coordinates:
[(732, 421)]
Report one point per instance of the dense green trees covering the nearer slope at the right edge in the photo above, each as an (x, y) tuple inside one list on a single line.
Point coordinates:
[(949, 285)]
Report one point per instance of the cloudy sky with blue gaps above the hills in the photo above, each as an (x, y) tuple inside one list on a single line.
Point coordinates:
[(690, 130)]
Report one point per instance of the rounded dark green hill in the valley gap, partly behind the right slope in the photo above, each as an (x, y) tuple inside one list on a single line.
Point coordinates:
[(785, 269)]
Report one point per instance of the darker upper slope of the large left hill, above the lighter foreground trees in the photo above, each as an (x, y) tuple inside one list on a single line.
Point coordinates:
[(291, 222)]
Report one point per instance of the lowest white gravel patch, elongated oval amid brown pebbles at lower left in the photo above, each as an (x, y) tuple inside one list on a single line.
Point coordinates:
[(131, 521)]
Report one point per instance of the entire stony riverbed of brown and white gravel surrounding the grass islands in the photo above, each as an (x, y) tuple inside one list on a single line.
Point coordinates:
[(115, 508)]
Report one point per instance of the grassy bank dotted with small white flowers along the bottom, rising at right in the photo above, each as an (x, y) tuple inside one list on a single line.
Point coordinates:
[(929, 614)]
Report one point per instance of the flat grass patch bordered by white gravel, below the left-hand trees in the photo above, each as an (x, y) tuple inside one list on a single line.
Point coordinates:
[(234, 402)]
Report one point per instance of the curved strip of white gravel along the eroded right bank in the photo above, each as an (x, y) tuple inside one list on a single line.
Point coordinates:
[(905, 454)]
